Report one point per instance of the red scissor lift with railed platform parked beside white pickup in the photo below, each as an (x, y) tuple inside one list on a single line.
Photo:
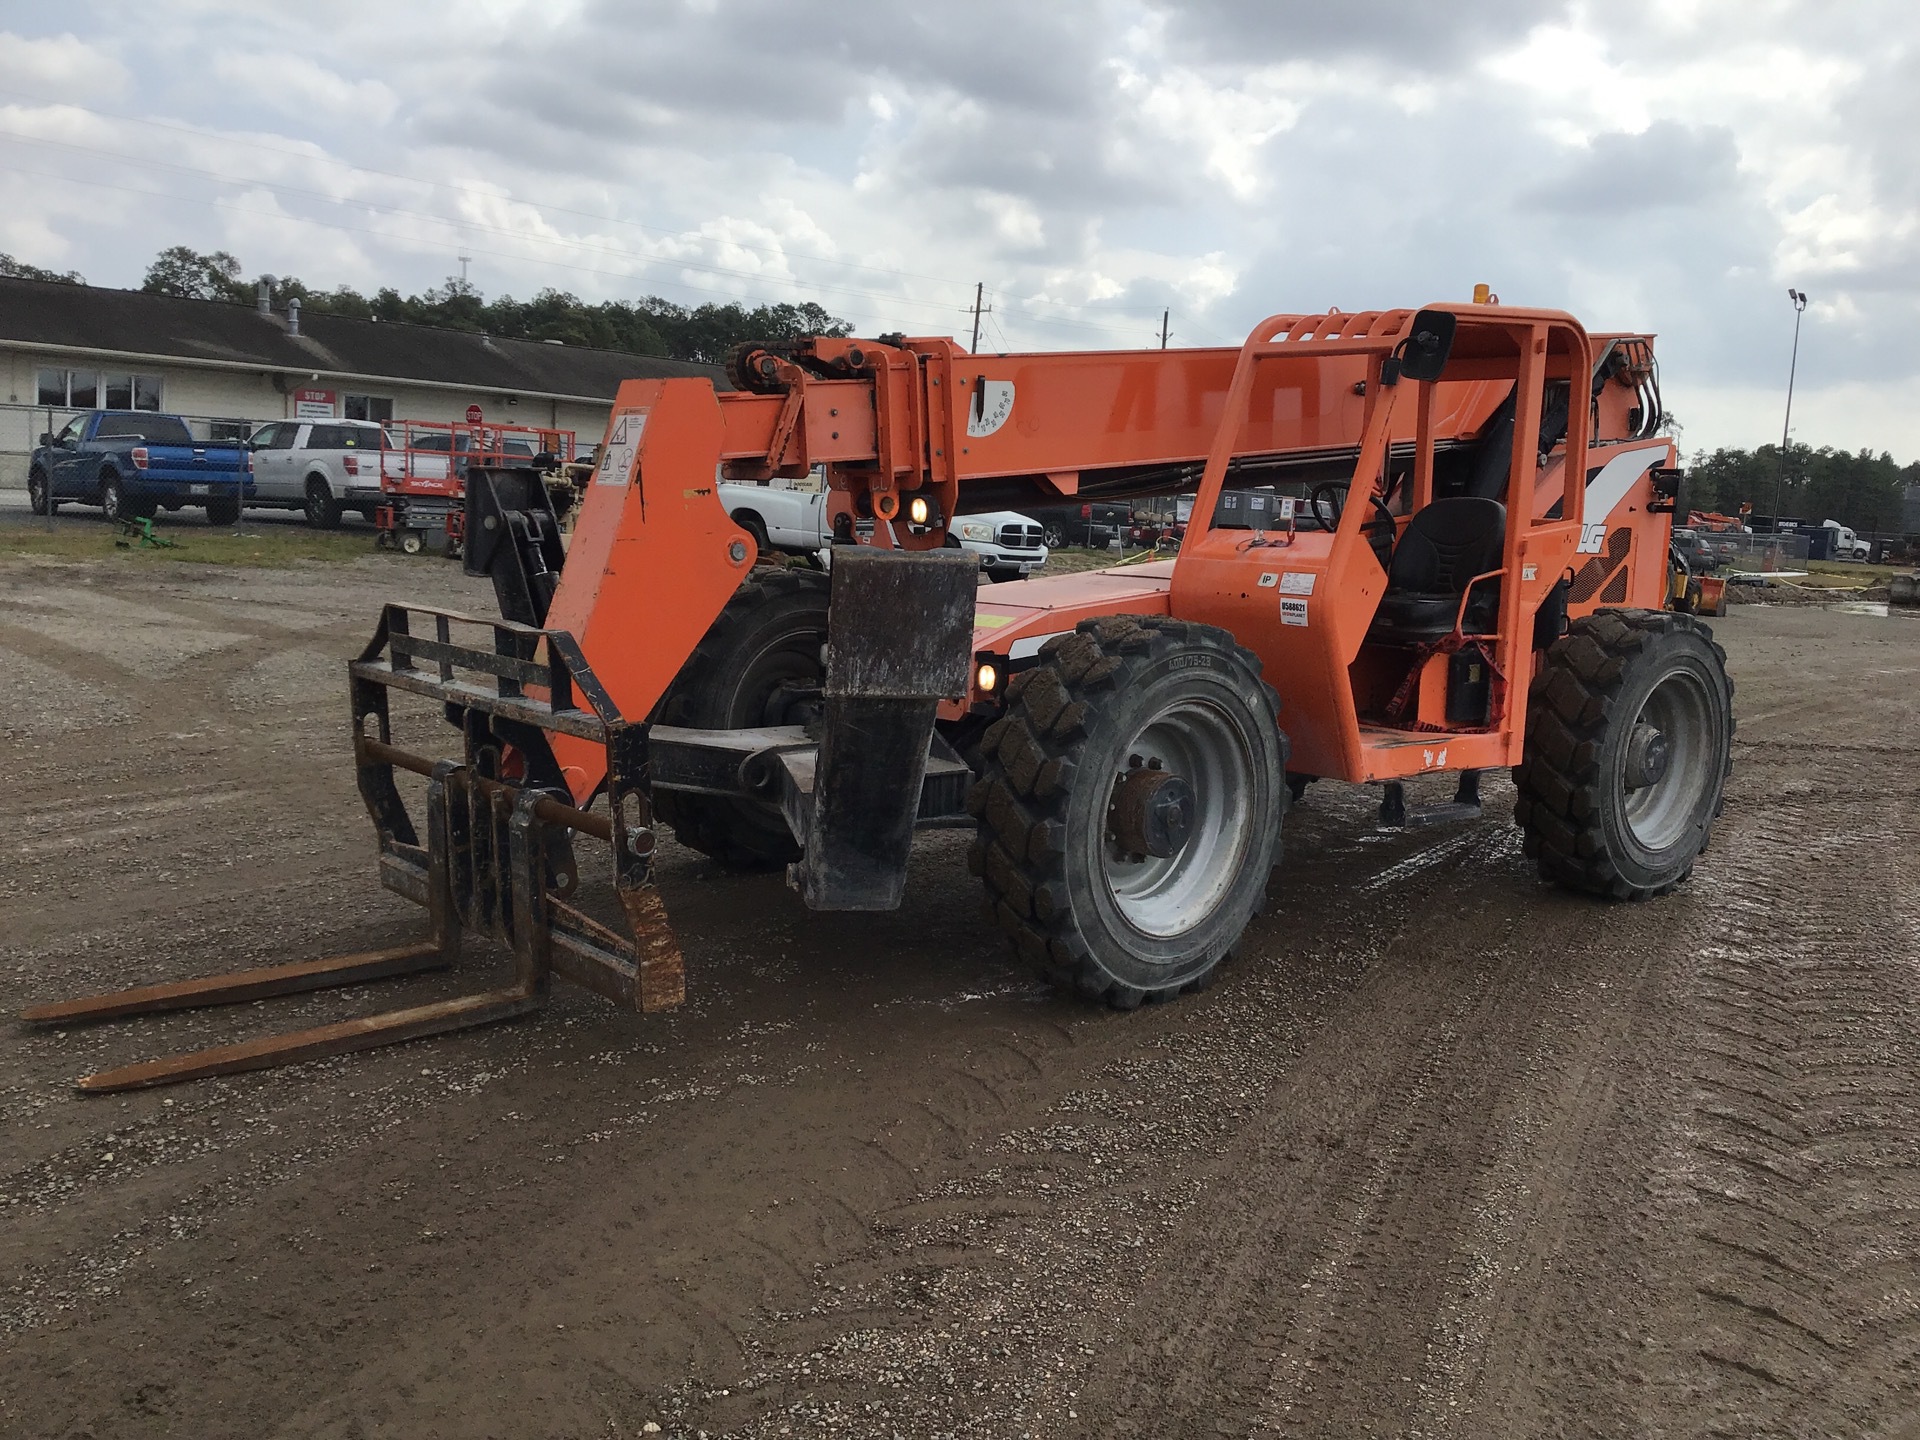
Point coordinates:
[(423, 477)]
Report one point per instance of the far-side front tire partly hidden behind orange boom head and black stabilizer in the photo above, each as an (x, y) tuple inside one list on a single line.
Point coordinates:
[(767, 640)]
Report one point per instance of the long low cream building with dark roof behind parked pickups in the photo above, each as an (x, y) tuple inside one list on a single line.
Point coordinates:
[(68, 348)]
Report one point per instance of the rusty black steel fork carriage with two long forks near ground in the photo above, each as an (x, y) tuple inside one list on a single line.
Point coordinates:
[(498, 857)]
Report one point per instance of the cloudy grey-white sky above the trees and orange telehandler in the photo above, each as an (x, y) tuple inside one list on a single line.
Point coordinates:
[(1669, 166)]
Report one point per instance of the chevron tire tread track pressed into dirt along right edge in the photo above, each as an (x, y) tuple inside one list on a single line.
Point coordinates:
[(1802, 1143)]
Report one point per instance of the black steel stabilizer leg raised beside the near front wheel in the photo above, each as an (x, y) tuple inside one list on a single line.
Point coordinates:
[(900, 642)]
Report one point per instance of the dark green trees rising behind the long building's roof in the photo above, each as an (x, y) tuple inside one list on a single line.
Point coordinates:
[(642, 327)]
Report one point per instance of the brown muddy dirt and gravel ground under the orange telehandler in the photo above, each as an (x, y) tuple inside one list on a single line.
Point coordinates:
[(1445, 1153)]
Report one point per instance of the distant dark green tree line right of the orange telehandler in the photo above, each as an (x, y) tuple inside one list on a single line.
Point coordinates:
[(1861, 491)]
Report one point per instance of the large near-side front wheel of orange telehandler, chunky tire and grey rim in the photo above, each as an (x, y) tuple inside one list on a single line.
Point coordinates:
[(1109, 880)]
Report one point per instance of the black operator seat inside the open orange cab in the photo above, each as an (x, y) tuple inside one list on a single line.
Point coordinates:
[(1441, 552)]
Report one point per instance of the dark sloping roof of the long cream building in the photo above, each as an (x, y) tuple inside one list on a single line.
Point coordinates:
[(216, 333)]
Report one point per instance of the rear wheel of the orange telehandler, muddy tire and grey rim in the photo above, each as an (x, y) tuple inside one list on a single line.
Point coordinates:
[(1618, 688)]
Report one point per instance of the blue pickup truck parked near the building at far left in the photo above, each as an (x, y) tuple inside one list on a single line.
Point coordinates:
[(132, 464)]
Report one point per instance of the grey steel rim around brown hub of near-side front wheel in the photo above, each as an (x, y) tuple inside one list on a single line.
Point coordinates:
[(1166, 898)]
